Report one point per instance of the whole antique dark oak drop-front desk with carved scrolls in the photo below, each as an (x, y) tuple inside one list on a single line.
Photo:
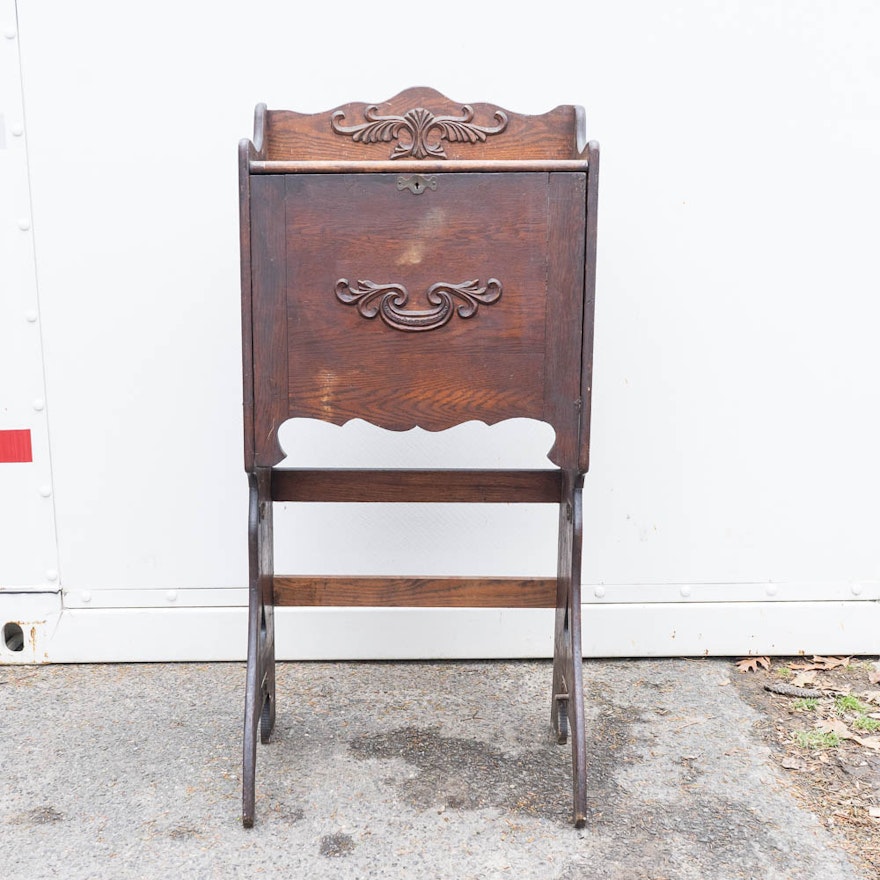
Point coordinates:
[(417, 263)]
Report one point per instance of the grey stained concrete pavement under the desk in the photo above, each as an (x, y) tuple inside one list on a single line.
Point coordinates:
[(442, 771)]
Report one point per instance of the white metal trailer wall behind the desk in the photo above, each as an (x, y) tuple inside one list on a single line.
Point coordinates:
[(733, 500)]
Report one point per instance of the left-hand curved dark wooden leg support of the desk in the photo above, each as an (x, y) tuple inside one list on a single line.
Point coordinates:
[(259, 710)]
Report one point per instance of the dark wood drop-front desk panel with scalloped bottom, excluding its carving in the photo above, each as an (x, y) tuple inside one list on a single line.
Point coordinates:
[(519, 356)]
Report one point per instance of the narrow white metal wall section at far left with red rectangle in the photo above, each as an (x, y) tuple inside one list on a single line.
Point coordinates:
[(29, 569)]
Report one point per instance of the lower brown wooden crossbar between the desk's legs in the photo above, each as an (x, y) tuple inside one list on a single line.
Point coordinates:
[(416, 592)]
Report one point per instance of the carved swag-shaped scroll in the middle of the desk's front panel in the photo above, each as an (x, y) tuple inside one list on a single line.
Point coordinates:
[(388, 300)]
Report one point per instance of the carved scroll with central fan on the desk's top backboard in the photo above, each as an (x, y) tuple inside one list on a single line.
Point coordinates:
[(419, 126)]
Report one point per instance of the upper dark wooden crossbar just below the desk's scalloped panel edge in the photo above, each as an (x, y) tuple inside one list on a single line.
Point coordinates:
[(487, 487)]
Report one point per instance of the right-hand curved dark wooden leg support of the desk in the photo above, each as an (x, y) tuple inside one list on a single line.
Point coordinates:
[(567, 708)]
